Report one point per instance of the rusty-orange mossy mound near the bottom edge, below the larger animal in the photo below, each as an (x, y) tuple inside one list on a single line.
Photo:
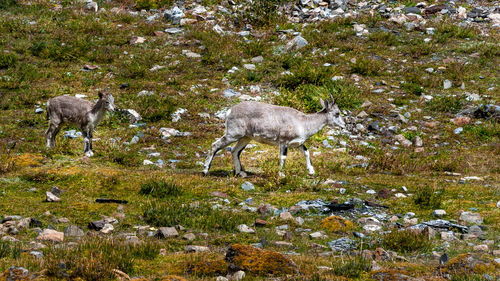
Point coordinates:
[(257, 261)]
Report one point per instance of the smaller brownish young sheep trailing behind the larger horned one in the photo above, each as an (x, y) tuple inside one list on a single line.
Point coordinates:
[(79, 112)]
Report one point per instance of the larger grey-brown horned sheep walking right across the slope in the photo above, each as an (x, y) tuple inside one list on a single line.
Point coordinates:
[(271, 124)]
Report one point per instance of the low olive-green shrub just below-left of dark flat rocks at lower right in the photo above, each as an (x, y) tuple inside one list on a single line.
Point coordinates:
[(404, 241)]
